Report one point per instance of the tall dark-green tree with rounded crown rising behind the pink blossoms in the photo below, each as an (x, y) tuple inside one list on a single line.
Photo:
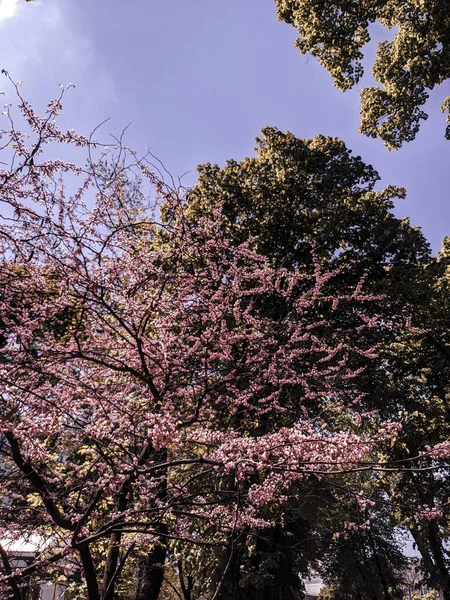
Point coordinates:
[(296, 196)]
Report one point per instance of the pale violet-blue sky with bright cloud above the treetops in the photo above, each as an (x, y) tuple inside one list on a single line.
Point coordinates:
[(197, 79)]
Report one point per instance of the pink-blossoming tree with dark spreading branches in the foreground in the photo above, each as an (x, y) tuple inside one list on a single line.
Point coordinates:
[(131, 426)]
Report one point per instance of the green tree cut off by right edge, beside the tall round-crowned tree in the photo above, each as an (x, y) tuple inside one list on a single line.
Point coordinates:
[(420, 377)]
